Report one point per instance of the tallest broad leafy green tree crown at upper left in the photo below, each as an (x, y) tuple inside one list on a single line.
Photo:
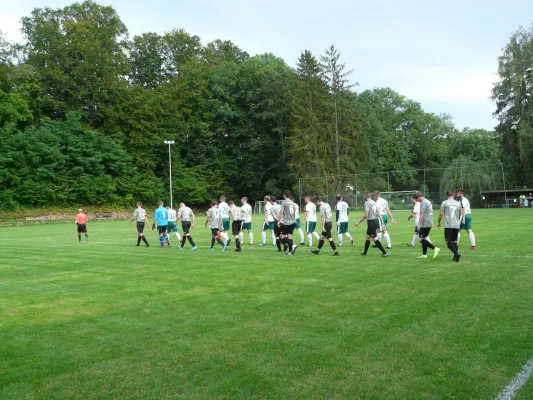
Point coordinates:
[(79, 52)]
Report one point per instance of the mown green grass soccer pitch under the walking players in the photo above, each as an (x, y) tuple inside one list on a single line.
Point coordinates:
[(107, 320)]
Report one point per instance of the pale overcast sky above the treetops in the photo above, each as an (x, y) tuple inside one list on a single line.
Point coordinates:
[(441, 53)]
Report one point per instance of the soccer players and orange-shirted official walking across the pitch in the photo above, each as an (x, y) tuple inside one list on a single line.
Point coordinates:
[(283, 218)]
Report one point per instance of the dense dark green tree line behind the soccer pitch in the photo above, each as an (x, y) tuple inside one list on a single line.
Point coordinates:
[(85, 108)]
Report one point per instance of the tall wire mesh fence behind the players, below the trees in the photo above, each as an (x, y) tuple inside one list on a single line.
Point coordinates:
[(397, 186)]
